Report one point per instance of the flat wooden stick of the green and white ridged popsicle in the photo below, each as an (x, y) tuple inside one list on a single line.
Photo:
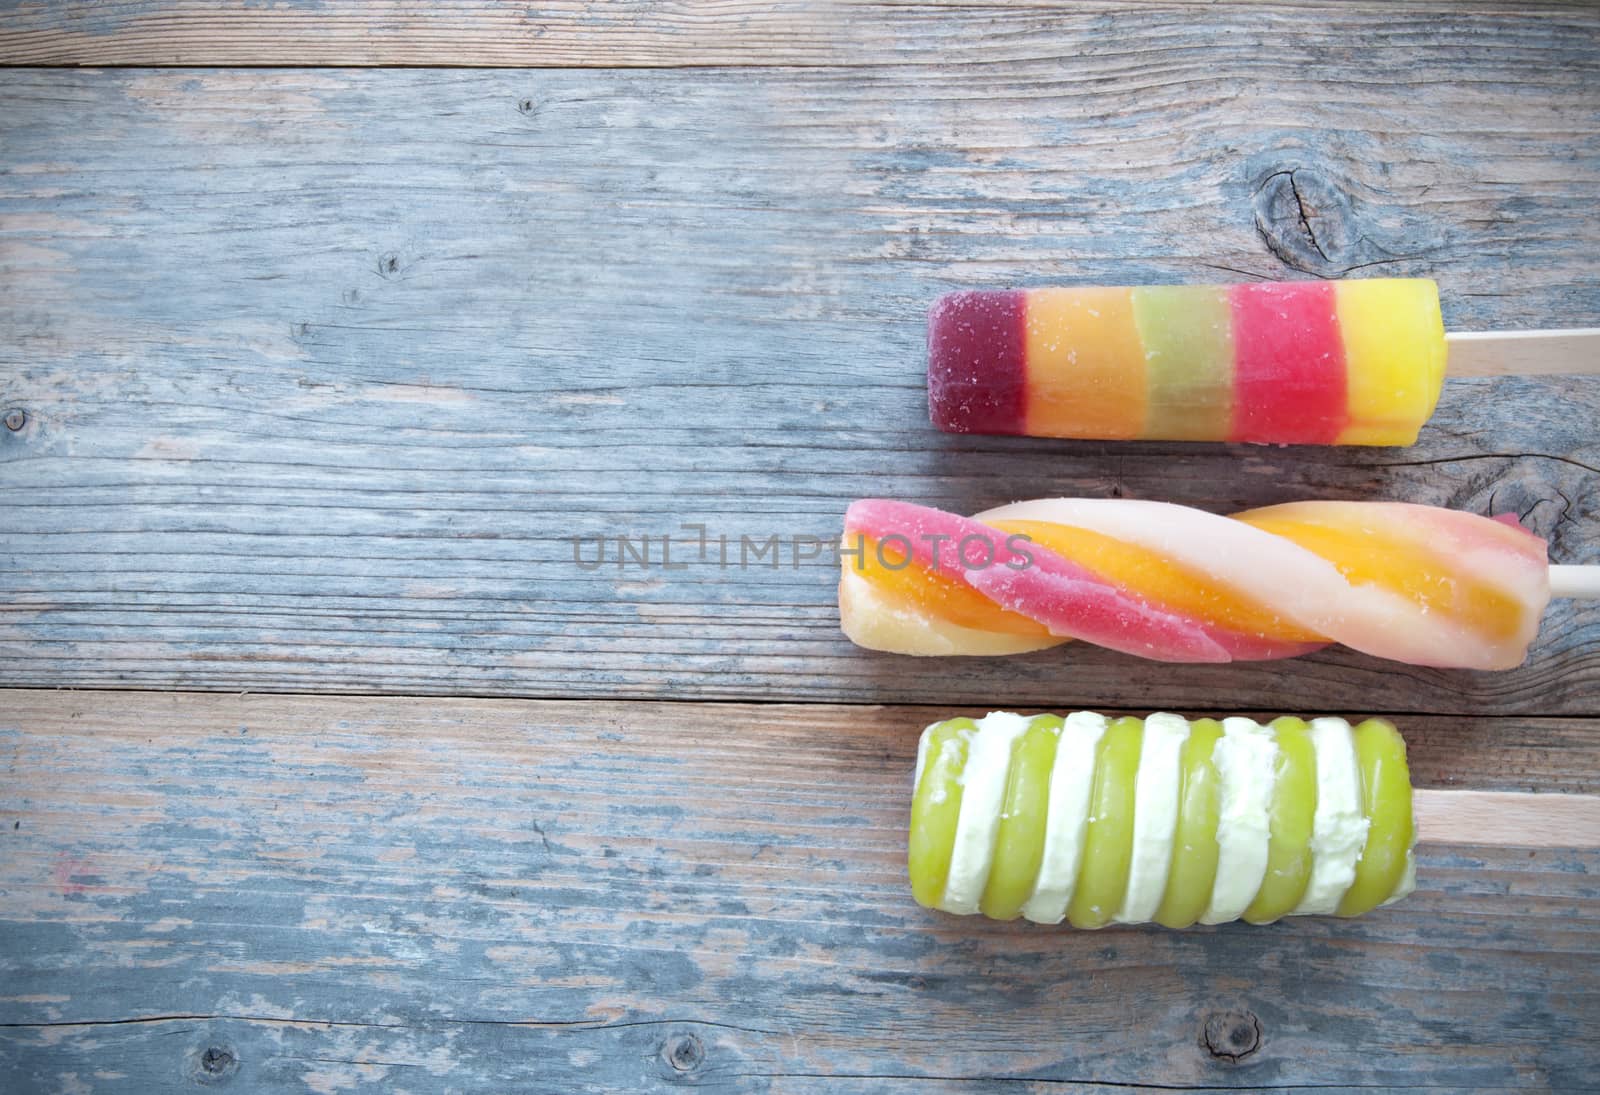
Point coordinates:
[(1508, 819)]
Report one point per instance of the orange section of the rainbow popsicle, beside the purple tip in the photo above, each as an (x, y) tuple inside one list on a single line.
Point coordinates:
[(1086, 364)]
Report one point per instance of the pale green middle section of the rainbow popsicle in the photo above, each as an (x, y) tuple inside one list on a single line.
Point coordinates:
[(1188, 334)]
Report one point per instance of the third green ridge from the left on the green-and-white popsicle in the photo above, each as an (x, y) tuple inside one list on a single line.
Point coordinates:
[(1108, 838)]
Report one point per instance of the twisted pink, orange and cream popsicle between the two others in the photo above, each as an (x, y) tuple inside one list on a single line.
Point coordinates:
[(1414, 584)]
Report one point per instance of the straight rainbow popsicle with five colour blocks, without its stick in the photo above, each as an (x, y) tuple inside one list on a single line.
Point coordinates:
[(1292, 363)]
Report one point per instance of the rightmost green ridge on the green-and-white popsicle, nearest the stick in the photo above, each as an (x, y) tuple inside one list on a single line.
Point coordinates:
[(1386, 801)]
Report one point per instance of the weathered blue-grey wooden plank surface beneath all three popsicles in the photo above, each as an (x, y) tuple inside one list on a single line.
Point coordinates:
[(310, 379)]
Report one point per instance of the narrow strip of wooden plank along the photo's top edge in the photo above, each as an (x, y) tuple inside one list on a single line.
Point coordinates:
[(742, 33)]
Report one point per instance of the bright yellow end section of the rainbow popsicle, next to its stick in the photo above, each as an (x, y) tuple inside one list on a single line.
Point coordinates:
[(1394, 358)]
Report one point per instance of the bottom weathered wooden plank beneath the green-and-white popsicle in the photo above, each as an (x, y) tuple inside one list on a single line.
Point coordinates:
[(406, 894)]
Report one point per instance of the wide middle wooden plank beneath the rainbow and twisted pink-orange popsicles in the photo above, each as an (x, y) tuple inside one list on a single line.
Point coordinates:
[(322, 379)]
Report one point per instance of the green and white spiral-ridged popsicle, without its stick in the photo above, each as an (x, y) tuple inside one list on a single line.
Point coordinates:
[(1098, 820)]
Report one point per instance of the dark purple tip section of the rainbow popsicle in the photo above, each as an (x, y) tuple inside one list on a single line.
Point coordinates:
[(977, 363)]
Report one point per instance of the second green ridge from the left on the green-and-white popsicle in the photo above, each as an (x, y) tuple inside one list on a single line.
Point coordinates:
[(1020, 840)]
